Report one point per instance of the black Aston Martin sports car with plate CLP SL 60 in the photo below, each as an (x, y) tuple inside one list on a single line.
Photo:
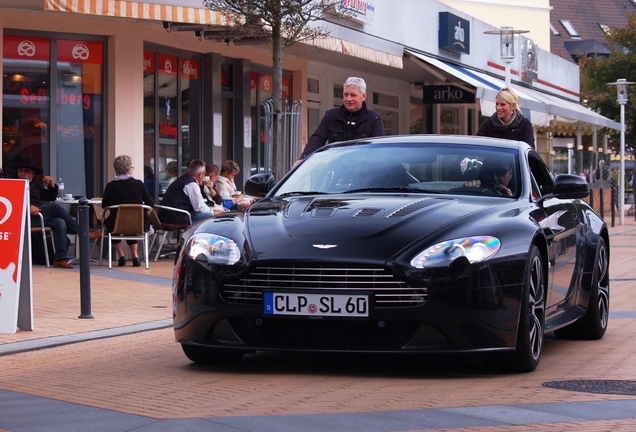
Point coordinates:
[(406, 244)]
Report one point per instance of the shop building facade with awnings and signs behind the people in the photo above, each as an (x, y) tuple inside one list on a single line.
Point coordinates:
[(87, 80)]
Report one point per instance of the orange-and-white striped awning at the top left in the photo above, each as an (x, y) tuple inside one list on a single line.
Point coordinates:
[(158, 11)]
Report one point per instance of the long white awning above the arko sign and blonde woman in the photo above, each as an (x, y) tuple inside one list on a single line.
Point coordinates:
[(546, 110)]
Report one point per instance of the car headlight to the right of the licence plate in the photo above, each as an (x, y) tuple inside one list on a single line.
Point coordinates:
[(475, 249)]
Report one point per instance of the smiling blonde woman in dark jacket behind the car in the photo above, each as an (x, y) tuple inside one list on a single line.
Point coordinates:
[(508, 122)]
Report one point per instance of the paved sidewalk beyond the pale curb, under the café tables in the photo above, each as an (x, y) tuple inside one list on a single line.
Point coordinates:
[(132, 299)]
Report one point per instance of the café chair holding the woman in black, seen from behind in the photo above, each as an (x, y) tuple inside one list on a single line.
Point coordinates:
[(129, 225)]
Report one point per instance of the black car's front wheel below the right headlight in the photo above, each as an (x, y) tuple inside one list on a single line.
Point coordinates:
[(530, 330)]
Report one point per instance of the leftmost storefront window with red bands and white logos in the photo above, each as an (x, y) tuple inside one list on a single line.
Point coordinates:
[(66, 144)]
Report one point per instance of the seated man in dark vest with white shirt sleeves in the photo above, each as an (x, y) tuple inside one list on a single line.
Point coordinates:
[(185, 194)]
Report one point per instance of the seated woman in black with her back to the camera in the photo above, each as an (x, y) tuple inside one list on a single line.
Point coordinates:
[(125, 189)]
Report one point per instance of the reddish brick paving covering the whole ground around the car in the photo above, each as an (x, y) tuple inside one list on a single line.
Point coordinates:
[(123, 371)]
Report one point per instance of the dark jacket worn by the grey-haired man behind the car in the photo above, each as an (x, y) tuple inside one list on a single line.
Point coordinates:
[(338, 124)]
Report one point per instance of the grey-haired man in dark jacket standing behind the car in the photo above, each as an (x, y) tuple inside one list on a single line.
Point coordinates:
[(352, 120)]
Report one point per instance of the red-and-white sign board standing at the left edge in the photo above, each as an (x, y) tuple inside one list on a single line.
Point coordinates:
[(14, 205)]
